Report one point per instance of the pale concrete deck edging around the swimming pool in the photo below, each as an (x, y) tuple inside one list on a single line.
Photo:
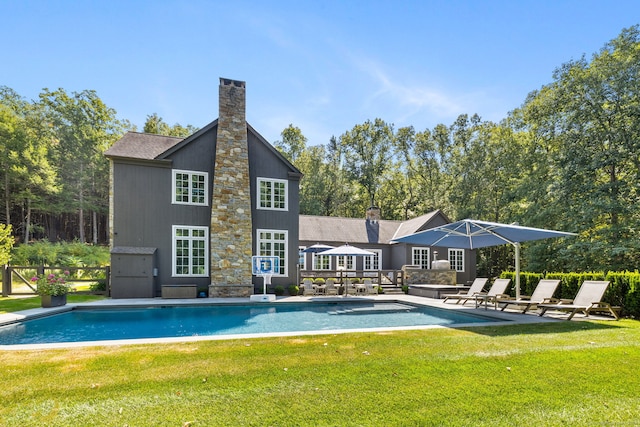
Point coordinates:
[(501, 317)]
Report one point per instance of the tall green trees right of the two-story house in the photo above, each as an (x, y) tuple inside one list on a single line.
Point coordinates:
[(568, 158)]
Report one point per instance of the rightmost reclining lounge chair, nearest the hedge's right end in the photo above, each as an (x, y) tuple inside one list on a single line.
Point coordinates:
[(588, 299)]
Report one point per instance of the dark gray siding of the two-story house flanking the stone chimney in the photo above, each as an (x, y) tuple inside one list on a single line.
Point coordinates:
[(144, 214)]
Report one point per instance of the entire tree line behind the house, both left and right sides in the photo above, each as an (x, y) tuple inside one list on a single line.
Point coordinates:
[(567, 158)]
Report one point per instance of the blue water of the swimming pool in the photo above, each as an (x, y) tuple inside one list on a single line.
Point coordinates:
[(83, 324)]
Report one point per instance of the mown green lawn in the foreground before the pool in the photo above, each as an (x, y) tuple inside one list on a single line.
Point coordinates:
[(564, 373)]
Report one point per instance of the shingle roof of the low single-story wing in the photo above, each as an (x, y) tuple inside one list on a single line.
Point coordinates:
[(358, 230)]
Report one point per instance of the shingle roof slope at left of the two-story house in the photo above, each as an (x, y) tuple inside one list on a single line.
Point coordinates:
[(136, 145)]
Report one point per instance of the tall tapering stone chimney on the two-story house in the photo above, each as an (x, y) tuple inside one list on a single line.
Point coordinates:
[(231, 232)]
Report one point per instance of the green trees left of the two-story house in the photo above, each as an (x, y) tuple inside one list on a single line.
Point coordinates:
[(55, 178)]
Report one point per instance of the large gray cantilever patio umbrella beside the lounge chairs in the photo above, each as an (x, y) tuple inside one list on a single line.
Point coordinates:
[(473, 234)]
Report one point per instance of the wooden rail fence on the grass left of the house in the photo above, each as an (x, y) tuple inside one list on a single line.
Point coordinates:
[(16, 280)]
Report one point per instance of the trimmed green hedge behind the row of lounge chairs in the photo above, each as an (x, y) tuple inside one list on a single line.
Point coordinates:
[(624, 290)]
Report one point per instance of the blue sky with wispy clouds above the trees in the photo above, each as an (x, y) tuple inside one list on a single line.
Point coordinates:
[(323, 66)]
